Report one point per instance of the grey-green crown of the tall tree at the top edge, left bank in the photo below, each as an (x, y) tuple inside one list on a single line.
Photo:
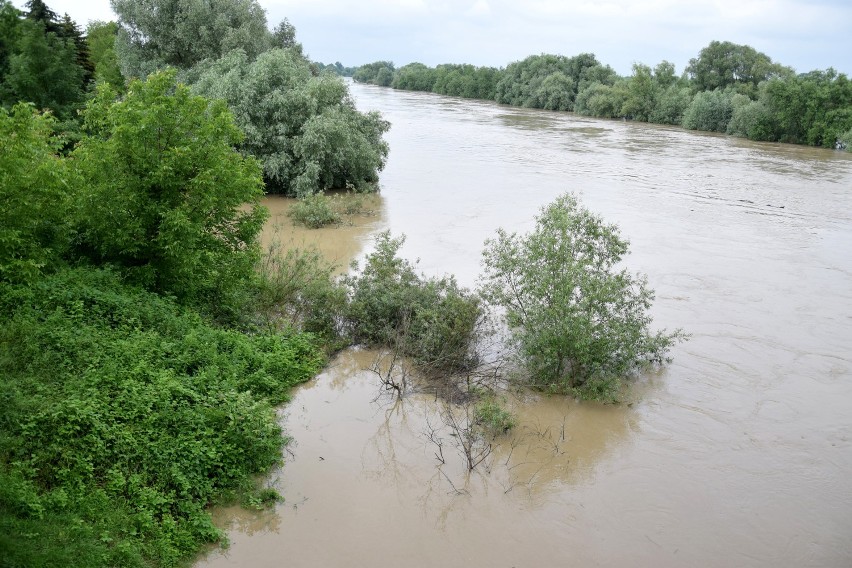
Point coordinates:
[(156, 33)]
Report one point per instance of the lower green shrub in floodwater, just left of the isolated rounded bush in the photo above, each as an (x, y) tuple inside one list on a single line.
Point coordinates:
[(433, 320)]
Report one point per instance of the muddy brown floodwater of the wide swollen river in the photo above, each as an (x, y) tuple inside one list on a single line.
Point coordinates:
[(739, 453)]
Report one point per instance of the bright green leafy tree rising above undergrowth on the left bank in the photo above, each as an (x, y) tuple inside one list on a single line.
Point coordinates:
[(166, 197)]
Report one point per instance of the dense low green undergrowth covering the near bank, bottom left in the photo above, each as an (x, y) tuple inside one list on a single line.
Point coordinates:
[(125, 416)]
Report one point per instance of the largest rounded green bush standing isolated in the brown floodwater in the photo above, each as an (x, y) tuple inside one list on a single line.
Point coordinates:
[(578, 324)]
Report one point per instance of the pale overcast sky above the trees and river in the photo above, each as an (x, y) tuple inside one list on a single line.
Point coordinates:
[(804, 34)]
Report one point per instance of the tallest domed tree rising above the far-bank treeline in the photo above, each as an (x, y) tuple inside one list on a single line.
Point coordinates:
[(723, 64)]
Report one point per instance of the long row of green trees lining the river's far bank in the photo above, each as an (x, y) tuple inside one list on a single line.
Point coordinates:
[(728, 88)]
